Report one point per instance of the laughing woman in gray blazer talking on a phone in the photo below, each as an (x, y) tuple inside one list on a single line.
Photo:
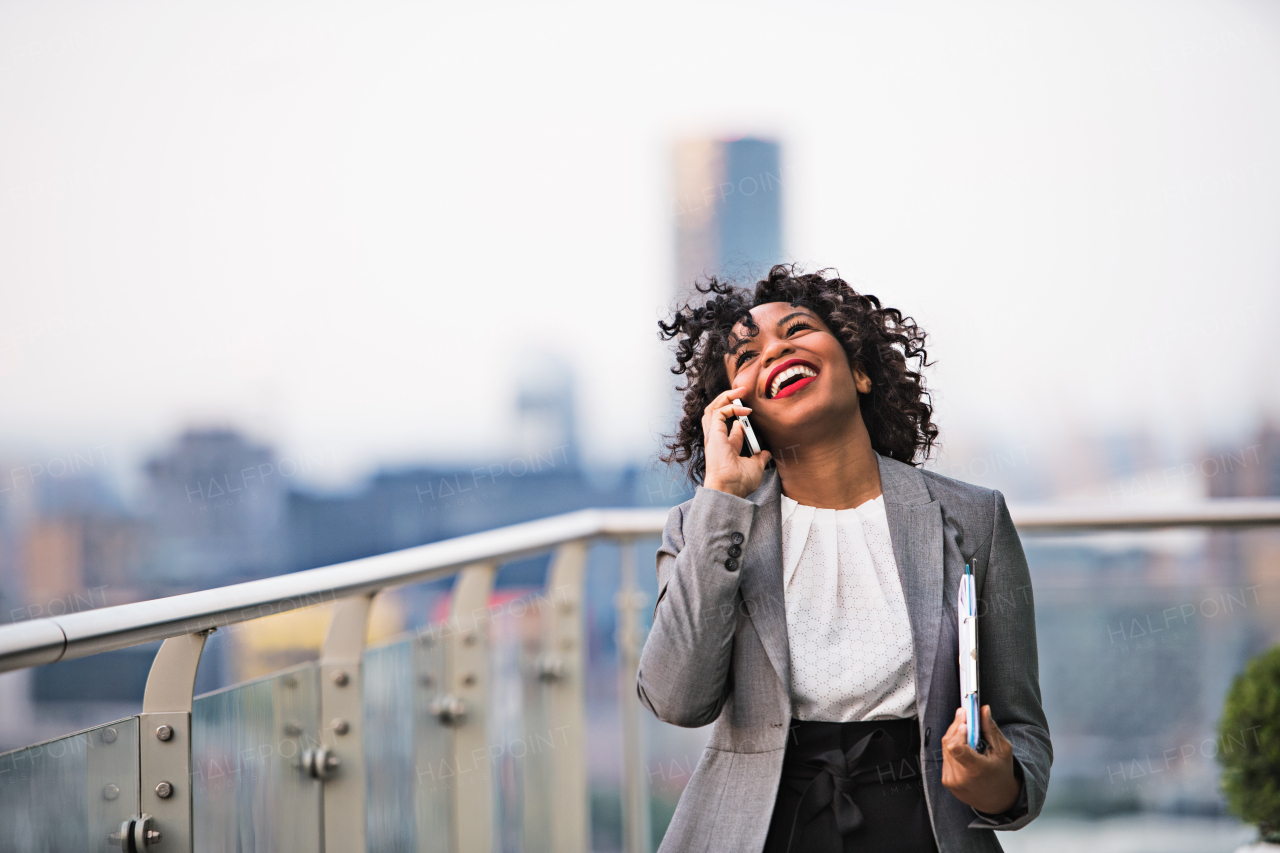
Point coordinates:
[(808, 595)]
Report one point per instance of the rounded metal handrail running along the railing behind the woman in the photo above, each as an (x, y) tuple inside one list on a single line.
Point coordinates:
[(80, 635)]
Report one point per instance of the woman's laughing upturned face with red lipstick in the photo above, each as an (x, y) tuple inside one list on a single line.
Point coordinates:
[(797, 375)]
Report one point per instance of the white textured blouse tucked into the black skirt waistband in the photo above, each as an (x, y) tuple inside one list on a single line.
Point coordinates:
[(848, 626)]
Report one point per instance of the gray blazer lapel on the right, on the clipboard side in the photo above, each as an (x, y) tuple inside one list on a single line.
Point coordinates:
[(916, 531)]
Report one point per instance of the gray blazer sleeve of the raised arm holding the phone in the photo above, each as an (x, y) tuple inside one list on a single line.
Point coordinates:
[(684, 676)]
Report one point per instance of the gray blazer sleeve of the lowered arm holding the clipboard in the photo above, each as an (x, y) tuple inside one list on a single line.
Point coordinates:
[(1009, 670)]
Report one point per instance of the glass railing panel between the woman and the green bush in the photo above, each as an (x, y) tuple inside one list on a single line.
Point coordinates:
[(1140, 636)]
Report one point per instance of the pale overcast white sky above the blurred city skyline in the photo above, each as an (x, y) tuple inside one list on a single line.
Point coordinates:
[(341, 226)]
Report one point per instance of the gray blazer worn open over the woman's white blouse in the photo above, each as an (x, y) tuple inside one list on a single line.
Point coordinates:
[(719, 651)]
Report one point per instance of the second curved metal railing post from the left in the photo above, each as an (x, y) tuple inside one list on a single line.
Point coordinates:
[(341, 764)]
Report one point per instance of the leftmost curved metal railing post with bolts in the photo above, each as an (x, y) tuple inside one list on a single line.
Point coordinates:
[(164, 822)]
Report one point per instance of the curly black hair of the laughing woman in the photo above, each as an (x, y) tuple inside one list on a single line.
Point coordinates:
[(898, 412)]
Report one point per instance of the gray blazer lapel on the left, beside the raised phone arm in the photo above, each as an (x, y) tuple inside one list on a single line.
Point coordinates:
[(762, 577)]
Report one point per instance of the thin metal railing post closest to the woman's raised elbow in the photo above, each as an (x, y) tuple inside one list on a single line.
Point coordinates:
[(636, 782)]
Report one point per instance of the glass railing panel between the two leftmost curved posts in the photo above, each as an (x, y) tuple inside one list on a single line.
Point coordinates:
[(252, 793)]
